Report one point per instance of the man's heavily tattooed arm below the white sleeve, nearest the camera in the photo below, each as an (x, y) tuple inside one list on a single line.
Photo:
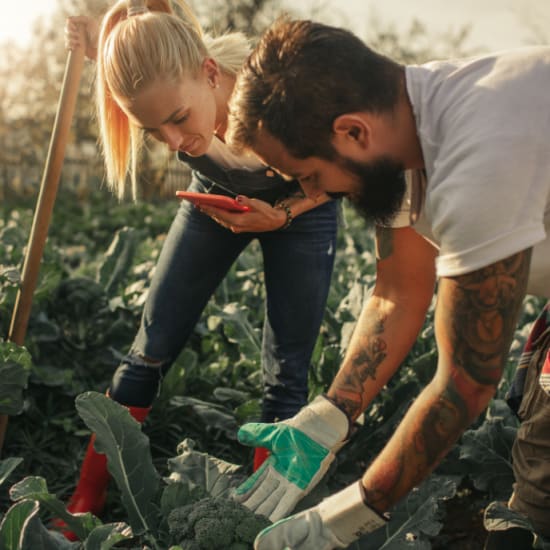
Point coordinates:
[(476, 315)]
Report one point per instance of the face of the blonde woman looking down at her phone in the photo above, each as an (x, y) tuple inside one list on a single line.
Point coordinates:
[(180, 114)]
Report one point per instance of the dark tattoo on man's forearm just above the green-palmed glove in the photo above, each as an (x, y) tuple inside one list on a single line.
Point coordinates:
[(364, 365)]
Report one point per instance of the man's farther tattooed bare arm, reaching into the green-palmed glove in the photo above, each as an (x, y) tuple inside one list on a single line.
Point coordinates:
[(390, 321)]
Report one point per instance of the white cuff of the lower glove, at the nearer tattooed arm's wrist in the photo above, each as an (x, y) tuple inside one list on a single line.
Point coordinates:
[(347, 516)]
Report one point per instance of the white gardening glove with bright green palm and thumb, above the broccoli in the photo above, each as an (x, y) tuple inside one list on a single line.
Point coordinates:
[(301, 450)]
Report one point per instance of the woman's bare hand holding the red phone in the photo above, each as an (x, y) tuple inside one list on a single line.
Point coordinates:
[(260, 218)]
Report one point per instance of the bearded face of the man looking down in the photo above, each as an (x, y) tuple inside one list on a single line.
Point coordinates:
[(375, 187)]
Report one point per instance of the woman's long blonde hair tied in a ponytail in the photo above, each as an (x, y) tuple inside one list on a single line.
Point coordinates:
[(160, 40)]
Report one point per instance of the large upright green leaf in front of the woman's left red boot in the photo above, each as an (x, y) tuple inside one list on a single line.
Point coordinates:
[(120, 438)]
